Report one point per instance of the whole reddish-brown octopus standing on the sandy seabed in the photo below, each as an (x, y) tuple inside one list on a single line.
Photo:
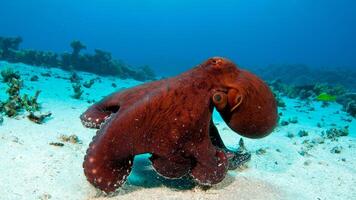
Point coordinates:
[(171, 119)]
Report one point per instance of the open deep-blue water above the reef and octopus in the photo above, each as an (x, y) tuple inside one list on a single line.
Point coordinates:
[(172, 36)]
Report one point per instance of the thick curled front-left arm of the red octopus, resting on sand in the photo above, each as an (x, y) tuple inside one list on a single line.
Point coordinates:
[(106, 167)]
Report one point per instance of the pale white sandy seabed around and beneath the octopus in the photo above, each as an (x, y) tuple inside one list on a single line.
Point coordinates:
[(30, 168)]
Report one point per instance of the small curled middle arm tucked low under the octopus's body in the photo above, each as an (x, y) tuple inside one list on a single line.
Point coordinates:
[(171, 167)]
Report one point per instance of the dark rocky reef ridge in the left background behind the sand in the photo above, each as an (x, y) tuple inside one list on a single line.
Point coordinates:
[(101, 62)]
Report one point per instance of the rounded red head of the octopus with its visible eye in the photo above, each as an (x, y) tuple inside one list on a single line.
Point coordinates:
[(243, 100)]
